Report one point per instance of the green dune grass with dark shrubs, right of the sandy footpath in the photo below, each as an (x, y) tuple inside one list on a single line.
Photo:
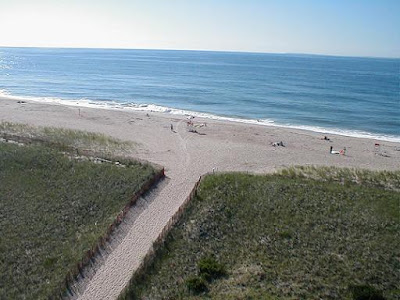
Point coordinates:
[(282, 237)]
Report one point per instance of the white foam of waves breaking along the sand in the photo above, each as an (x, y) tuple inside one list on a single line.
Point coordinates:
[(113, 105)]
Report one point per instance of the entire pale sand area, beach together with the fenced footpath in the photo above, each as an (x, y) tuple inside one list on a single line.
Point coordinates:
[(216, 146)]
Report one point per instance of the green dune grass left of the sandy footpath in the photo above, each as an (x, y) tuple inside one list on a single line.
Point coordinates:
[(53, 208)]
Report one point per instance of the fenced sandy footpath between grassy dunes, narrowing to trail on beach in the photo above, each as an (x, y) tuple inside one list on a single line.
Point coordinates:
[(114, 273)]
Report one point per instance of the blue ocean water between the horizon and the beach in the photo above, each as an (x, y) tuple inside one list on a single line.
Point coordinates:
[(346, 95)]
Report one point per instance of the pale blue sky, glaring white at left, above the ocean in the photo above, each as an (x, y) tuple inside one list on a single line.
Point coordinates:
[(332, 27)]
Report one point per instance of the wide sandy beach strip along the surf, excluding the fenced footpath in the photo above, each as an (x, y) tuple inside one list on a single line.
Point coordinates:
[(151, 131)]
